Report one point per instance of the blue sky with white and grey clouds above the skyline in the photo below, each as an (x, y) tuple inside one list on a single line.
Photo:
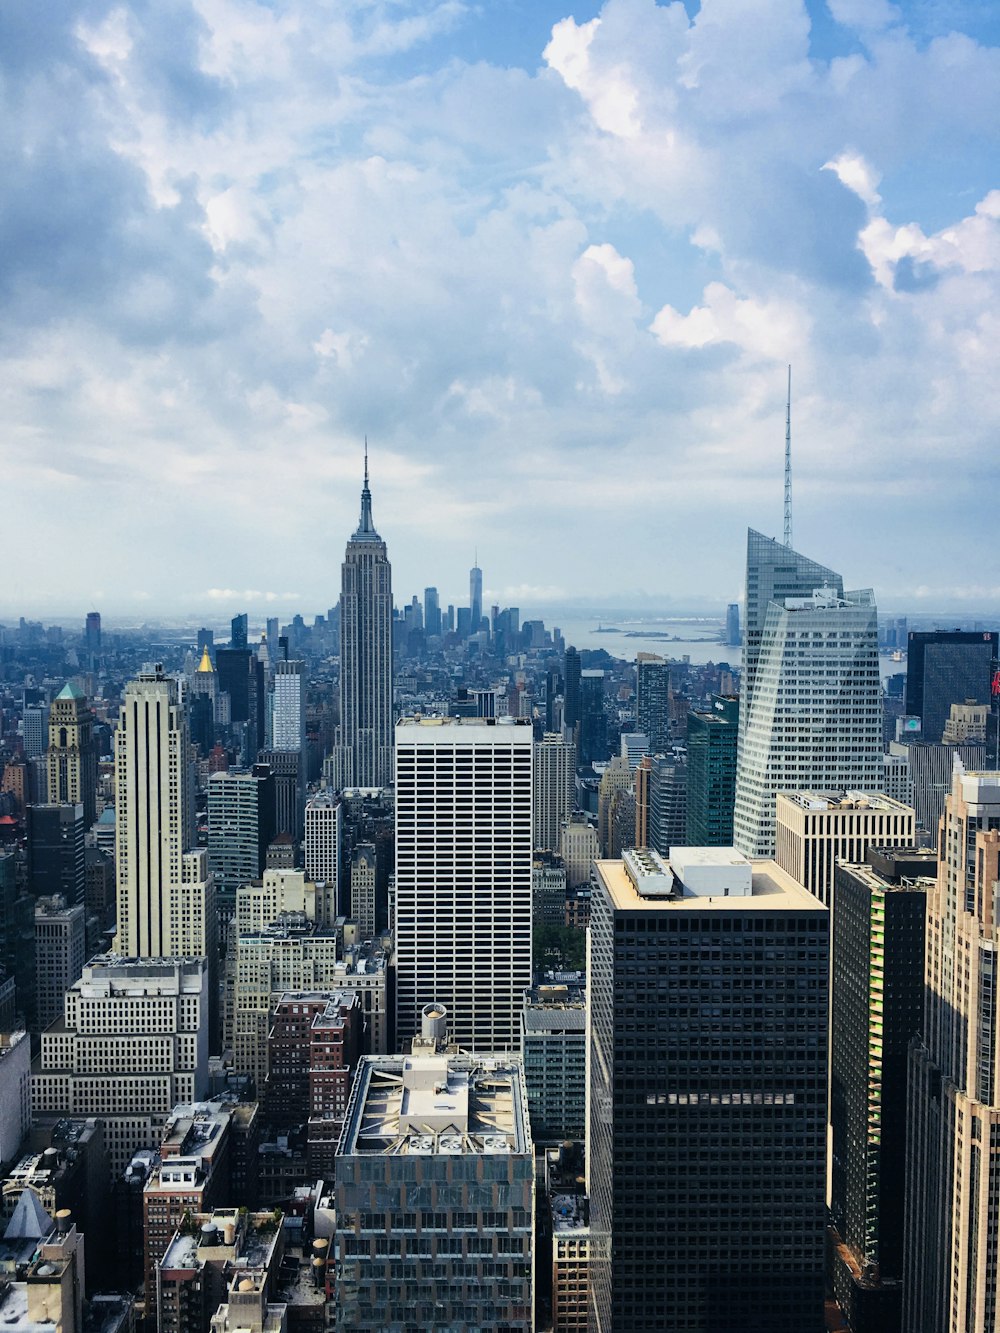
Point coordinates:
[(553, 261)]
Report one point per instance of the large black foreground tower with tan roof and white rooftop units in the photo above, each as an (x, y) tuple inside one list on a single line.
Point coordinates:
[(707, 1136)]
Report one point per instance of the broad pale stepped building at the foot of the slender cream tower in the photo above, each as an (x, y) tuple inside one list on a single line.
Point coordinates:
[(133, 1044)]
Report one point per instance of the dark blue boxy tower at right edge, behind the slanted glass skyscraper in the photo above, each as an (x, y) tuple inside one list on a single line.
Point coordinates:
[(945, 668)]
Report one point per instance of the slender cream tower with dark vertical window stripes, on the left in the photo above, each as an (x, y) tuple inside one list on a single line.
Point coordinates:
[(166, 898)]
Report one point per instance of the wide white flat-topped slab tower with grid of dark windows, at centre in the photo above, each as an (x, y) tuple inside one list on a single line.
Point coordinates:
[(463, 876)]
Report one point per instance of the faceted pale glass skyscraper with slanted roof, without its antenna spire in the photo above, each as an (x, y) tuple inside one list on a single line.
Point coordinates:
[(811, 710)]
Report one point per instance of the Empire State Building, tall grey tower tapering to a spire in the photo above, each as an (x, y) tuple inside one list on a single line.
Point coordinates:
[(363, 756)]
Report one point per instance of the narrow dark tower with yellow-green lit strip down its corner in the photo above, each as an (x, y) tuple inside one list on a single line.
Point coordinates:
[(877, 1006)]
